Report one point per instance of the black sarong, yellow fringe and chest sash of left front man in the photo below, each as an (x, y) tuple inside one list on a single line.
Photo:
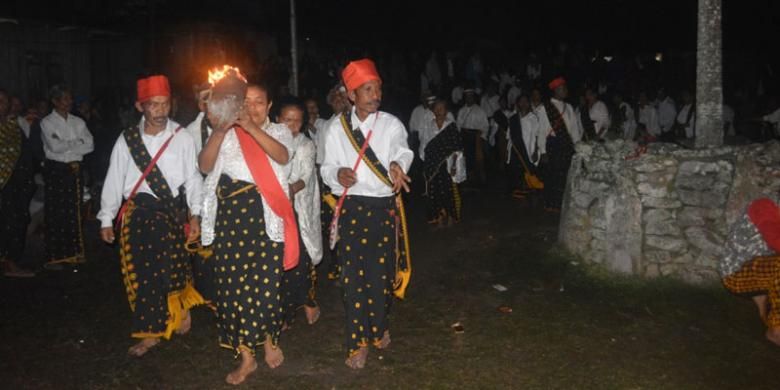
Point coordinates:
[(155, 266)]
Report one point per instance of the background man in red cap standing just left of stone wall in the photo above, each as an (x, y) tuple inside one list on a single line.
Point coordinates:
[(560, 129)]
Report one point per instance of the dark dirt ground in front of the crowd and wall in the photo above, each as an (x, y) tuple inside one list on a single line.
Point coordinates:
[(570, 327)]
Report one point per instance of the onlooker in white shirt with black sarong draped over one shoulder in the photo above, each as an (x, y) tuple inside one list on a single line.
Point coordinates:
[(443, 148)]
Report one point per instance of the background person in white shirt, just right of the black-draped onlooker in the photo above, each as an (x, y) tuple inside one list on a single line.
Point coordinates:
[(474, 126)]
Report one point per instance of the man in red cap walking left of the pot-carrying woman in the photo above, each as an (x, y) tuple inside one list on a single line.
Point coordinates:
[(150, 164)]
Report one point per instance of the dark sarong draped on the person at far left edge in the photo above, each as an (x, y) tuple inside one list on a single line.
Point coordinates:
[(16, 190)]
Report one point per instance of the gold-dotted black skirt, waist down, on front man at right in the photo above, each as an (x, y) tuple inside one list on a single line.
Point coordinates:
[(366, 253)]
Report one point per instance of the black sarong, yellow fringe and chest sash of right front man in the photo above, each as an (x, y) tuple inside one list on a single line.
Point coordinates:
[(373, 252)]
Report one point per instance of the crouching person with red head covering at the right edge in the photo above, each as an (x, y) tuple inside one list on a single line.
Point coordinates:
[(751, 264)]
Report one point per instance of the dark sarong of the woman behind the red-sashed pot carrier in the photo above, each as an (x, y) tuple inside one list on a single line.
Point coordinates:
[(299, 285)]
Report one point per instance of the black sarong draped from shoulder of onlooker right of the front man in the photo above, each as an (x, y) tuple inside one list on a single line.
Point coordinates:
[(443, 195)]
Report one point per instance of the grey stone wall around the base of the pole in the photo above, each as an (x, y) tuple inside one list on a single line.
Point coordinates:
[(665, 212)]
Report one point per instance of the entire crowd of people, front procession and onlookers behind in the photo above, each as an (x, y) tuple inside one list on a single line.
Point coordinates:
[(236, 213)]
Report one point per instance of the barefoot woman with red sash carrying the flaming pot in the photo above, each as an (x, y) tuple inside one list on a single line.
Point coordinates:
[(249, 220)]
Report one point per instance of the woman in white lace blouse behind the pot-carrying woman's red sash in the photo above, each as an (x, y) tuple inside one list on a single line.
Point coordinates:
[(298, 284)]
